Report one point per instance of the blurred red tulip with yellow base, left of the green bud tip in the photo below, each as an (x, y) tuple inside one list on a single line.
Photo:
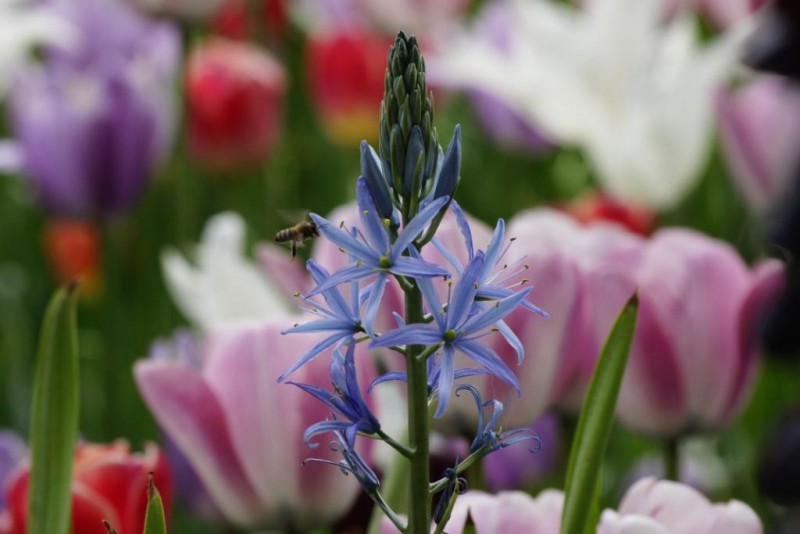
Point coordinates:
[(345, 71)]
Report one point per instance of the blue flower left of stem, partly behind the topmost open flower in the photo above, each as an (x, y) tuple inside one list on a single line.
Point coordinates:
[(339, 317)]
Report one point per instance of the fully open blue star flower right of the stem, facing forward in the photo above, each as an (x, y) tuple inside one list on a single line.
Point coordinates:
[(456, 328)]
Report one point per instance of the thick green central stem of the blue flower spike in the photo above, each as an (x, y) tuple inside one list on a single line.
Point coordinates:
[(419, 482)]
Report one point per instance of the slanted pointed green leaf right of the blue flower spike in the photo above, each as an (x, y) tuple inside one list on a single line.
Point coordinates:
[(594, 425)]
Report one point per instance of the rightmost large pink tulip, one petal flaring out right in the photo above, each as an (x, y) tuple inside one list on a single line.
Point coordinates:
[(694, 351)]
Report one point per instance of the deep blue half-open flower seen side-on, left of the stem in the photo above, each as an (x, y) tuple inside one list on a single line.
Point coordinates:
[(345, 398)]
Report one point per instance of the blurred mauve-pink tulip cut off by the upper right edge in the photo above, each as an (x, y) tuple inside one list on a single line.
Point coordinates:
[(760, 128)]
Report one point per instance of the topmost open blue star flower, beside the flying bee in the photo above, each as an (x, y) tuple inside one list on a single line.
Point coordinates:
[(374, 253)]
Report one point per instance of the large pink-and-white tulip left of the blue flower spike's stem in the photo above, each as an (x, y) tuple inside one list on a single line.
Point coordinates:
[(242, 432)]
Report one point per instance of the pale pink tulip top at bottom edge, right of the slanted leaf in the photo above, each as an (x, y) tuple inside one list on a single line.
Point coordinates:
[(663, 507)]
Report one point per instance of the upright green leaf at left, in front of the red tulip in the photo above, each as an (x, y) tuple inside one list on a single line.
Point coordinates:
[(54, 418)]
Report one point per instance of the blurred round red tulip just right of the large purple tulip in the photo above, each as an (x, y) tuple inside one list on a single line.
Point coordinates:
[(234, 94)]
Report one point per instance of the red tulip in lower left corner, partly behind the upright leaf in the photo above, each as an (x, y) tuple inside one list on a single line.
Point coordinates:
[(109, 482)]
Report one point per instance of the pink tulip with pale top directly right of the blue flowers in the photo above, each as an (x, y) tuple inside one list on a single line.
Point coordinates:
[(582, 276)]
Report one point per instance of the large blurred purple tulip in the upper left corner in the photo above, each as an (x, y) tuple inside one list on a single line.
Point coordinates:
[(93, 122)]
